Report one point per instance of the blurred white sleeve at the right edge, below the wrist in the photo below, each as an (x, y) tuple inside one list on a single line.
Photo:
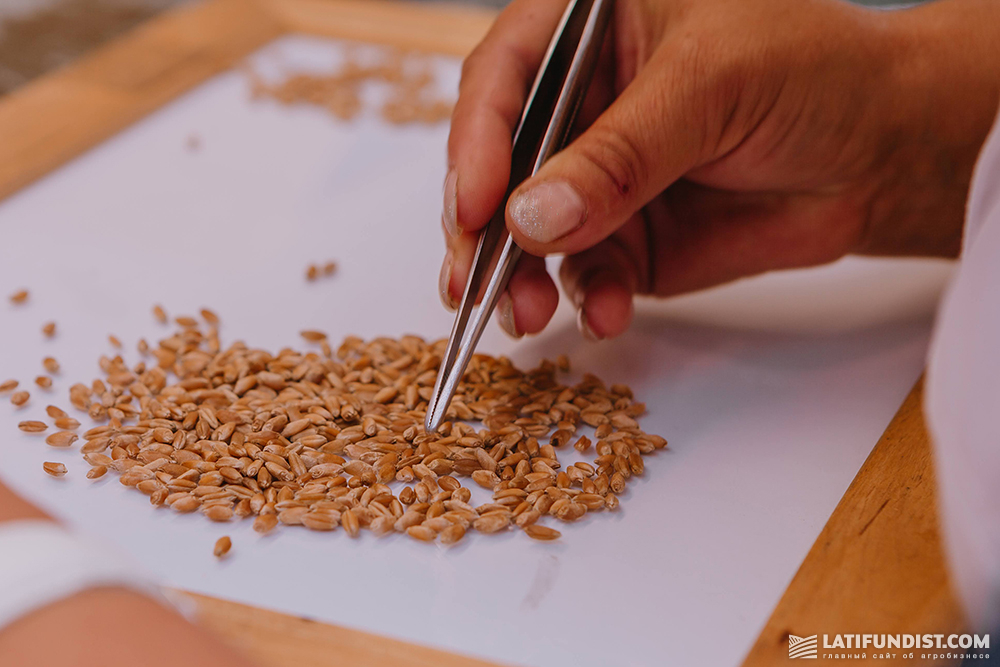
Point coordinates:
[(962, 400)]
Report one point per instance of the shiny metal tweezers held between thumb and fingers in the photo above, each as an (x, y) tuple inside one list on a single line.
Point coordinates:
[(555, 97)]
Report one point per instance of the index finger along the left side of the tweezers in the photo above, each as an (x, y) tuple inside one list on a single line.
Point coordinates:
[(496, 78)]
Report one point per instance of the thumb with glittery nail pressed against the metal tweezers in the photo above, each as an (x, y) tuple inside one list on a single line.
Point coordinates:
[(648, 138)]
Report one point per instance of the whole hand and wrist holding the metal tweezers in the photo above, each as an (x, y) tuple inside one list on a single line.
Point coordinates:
[(722, 139)]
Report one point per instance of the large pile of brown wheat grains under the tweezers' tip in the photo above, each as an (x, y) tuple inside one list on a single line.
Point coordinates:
[(335, 438)]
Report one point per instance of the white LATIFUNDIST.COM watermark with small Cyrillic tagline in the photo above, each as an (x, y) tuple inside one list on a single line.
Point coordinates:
[(922, 648)]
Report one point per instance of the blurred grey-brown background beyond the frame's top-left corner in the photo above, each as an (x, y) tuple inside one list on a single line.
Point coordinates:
[(40, 35)]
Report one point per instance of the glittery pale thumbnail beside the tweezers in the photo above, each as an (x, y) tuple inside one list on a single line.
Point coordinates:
[(548, 211)]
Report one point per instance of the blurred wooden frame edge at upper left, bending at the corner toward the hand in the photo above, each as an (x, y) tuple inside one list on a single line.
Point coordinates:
[(57, 117)]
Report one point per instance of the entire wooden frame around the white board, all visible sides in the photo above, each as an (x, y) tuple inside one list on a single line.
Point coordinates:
[(877, 565)]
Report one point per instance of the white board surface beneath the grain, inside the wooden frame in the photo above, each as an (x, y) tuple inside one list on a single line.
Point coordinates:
[(771, 392)]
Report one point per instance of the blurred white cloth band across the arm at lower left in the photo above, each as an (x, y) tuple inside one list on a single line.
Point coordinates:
[(41, 562)]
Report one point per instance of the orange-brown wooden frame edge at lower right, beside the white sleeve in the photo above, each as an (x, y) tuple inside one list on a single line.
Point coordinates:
[(878, 565)]
